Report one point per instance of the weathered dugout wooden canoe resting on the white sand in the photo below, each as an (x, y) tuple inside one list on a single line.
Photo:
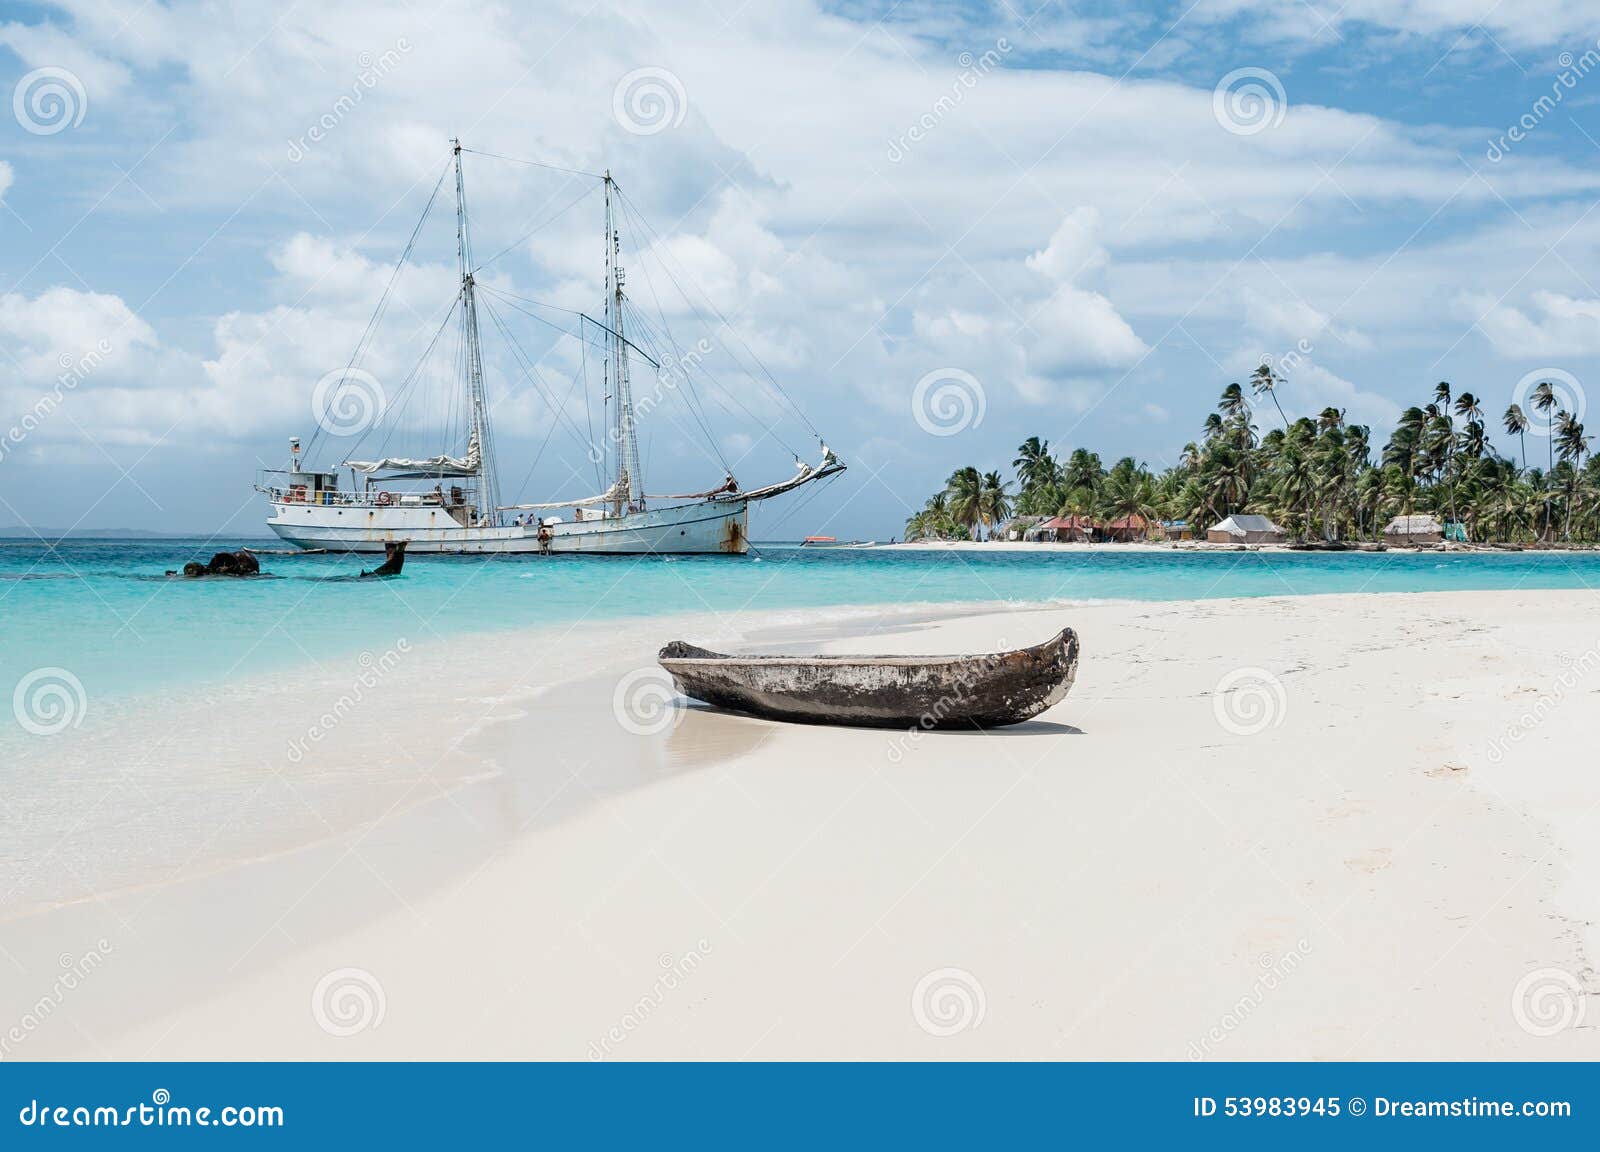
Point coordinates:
[(882, 692)]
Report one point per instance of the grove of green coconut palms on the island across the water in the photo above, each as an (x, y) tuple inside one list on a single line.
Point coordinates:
[(1321, 479)]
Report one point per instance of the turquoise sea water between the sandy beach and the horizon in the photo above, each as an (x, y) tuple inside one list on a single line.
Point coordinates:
[(105, 612)]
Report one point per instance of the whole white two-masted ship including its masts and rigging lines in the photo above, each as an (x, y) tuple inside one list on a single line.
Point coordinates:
[(390, 498)]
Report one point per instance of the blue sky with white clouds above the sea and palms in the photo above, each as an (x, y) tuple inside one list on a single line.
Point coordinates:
[(1078, 222)]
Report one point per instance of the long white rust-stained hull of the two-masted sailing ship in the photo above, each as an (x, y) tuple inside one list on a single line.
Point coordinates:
[(710, 529)]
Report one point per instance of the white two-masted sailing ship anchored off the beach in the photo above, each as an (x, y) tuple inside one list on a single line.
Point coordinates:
[(452, 502)]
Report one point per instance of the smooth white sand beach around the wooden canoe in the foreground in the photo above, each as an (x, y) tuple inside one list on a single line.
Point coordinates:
[(1348, 826)]
